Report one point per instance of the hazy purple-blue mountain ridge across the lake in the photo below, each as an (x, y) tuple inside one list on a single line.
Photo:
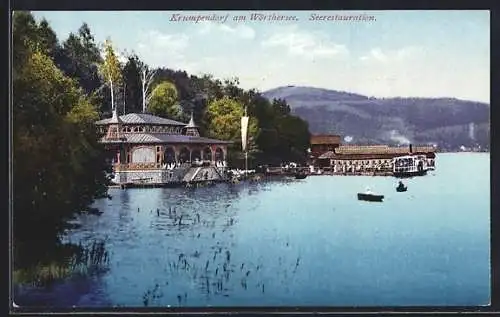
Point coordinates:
[(447, 122)]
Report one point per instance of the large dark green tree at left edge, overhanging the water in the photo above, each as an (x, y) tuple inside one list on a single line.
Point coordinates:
[(58, 164)]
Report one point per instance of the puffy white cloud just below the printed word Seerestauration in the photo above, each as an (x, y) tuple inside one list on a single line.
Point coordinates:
[(301, 43)]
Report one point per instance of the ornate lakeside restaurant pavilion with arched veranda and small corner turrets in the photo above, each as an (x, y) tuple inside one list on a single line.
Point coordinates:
[(144, 145)]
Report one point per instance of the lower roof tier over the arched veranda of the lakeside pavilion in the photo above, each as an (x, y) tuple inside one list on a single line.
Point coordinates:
[(166, 138)]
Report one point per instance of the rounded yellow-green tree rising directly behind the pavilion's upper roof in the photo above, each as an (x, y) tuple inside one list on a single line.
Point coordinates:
[(163, 101)]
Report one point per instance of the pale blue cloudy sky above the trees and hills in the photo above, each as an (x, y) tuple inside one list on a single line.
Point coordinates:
[(401, 53)]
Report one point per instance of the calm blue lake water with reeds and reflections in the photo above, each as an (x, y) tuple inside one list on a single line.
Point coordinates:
[(294, 243)]
